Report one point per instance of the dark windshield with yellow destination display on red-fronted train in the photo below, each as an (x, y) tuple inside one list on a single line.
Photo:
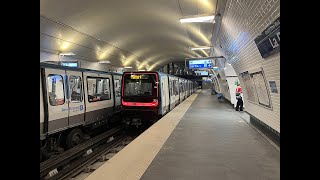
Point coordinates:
[(140, 87)]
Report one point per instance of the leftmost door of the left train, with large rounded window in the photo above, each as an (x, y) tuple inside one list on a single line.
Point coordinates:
[(57, 100)]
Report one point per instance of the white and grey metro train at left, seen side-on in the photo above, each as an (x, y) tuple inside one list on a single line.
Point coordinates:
[(74, 101)]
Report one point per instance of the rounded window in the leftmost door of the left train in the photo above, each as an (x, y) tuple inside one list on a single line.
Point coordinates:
[(55, 90)]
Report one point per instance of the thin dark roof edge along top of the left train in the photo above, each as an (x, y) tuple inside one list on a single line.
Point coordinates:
[(54, 66)]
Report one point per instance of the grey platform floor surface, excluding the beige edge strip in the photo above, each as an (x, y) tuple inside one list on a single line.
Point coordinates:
[(213, 142)]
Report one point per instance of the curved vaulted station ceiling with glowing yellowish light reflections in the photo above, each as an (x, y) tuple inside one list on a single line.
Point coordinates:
[(144, 34)]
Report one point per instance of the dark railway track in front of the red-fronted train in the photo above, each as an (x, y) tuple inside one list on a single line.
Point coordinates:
[(78, 158)]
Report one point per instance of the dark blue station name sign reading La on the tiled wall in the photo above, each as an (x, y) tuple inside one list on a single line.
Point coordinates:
[(268, 41)]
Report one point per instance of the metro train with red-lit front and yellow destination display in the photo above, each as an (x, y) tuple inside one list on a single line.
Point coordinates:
[(147, 96)]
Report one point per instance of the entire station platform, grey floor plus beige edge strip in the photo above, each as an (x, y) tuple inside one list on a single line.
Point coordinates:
[(199, 139)]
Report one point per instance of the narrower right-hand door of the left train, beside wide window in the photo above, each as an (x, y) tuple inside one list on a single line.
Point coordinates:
[(76, 100)]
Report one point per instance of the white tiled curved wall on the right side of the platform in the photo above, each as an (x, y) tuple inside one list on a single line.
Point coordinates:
[(242, 22)]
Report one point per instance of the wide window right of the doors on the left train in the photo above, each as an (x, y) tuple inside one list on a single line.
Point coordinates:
[(98, 89)]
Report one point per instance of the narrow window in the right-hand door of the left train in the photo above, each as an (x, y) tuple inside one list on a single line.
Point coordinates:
[(75, 88)]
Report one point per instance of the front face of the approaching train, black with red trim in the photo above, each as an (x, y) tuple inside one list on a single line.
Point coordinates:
[(140, 96)]
